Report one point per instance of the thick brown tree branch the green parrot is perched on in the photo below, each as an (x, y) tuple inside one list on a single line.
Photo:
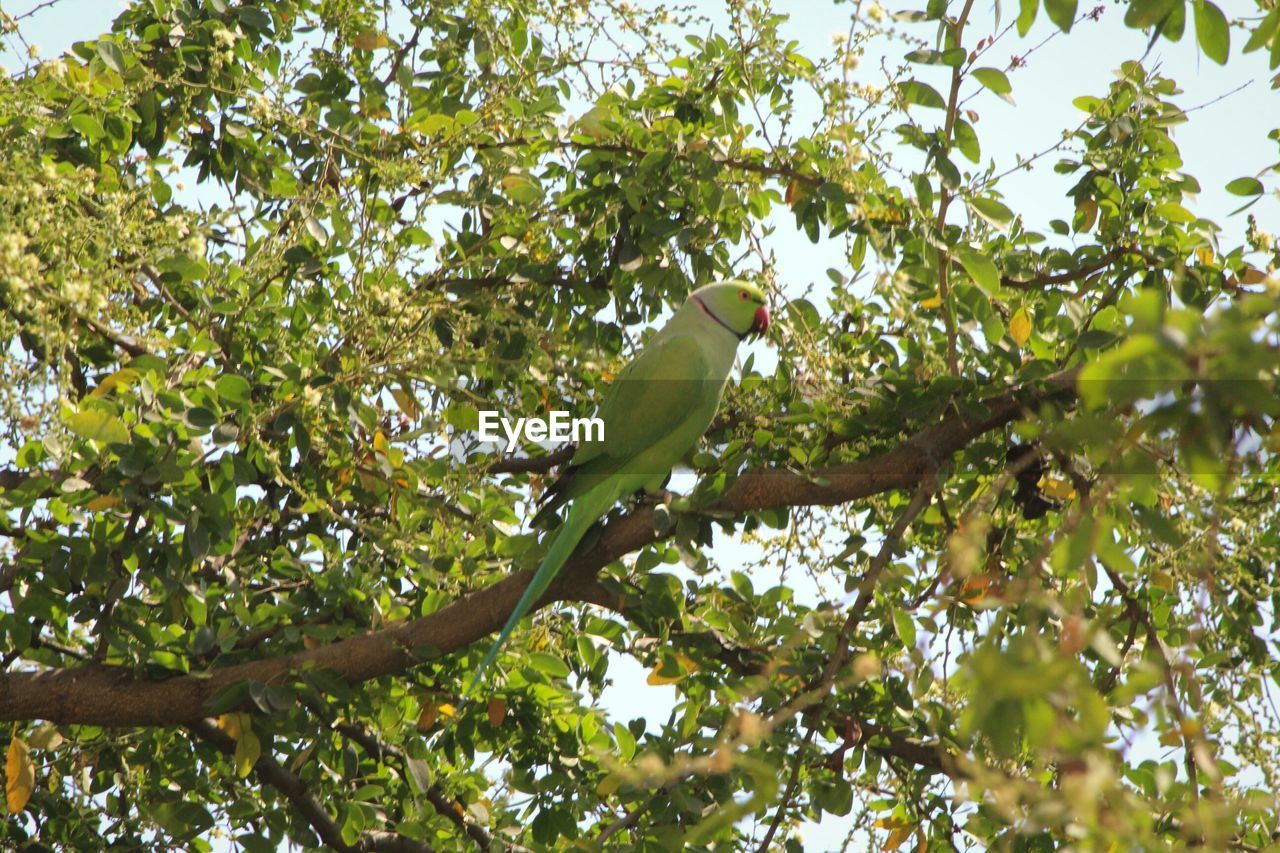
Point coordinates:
[(115, 696)]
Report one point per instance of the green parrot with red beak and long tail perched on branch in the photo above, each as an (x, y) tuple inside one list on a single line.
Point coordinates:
[(657, 409)]
